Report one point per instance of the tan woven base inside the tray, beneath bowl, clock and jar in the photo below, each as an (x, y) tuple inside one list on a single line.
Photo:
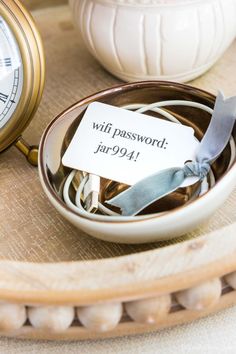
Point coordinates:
[(31, 229)]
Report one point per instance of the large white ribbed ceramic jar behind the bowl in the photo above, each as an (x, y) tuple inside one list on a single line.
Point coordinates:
[(156, 39)]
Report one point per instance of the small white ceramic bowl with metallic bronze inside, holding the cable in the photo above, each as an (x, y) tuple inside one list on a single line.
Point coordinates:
[(183, 216)]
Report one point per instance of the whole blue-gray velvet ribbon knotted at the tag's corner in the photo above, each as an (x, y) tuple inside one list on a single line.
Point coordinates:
[(158, 185)]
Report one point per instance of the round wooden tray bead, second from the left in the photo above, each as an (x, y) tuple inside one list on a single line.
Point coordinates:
[(52, 318)]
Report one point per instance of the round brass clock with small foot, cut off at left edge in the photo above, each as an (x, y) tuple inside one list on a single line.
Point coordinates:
[(22, 72)]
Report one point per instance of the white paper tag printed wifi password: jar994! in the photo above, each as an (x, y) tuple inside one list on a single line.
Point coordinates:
[(126, 146)]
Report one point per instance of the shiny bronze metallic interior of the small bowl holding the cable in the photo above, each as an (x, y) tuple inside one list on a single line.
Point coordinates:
[(61, 131)]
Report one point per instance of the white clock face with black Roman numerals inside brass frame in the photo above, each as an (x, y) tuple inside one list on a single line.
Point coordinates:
[(11, 73)]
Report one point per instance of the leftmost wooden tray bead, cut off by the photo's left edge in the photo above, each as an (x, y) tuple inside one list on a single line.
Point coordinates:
[(12, 317)]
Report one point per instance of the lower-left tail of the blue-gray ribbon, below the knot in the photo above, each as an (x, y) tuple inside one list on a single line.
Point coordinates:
[(148, 190)]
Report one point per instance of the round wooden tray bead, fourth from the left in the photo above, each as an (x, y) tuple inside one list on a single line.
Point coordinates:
[(151, 310)]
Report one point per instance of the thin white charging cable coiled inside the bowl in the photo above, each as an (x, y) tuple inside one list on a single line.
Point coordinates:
[(140, 108)]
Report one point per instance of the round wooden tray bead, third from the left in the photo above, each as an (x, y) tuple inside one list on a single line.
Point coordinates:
[(100, 318)]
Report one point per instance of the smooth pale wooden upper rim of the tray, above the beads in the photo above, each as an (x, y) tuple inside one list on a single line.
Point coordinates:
[(139, 275)]
